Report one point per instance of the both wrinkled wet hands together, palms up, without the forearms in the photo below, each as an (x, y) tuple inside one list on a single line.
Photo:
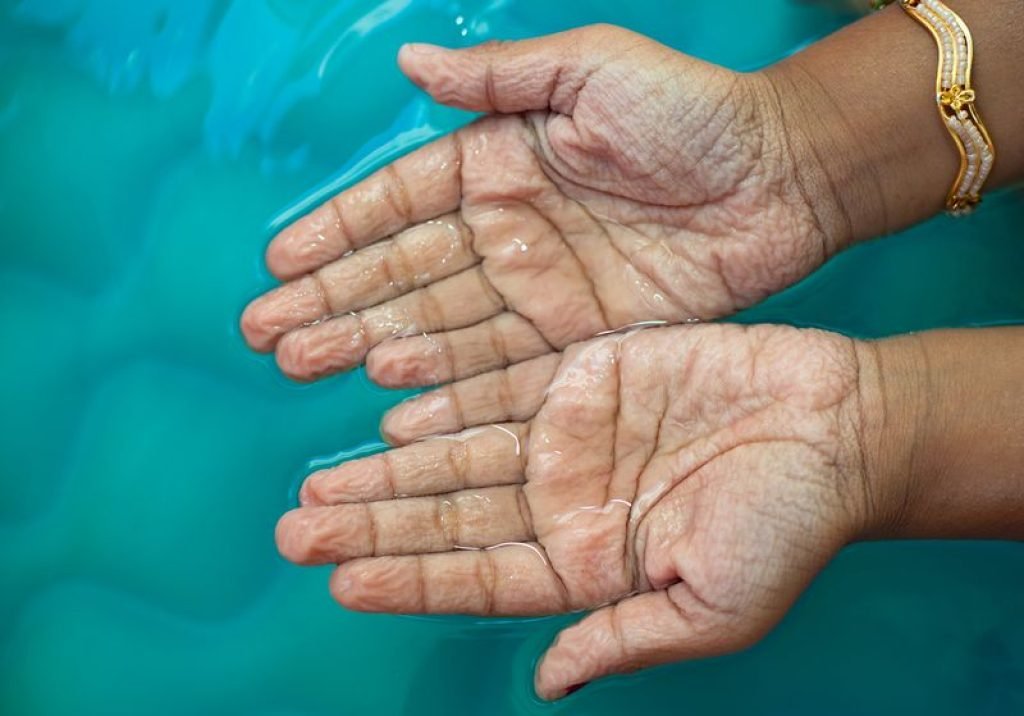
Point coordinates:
[(687, 482)]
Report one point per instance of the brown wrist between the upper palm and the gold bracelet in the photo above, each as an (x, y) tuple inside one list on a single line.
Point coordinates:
[(862, 119)]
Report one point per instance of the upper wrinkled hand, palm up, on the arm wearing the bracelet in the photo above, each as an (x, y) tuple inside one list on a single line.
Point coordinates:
[(617, 182)]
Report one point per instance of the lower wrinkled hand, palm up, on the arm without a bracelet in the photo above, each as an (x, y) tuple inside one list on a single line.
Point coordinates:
[(688, 483)]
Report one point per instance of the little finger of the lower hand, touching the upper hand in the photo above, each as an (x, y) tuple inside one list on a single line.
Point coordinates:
[(511, 395)]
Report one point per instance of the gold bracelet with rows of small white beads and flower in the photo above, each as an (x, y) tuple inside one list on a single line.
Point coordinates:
[(956, 100)]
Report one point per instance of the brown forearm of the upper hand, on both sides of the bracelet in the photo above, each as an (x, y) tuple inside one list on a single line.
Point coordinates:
[(861, 111)]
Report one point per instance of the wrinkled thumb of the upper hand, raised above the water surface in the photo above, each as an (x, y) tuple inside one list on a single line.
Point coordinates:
[(511, 77)]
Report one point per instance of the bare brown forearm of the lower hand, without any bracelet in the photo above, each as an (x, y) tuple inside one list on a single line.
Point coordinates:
[(944, 417)]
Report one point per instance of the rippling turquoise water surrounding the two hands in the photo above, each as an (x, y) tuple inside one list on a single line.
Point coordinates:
[(148, 150)]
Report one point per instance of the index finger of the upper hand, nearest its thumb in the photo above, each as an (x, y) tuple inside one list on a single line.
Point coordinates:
[(415, 188)]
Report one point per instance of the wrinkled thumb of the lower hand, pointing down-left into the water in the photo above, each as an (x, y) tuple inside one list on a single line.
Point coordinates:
[(642, 631)]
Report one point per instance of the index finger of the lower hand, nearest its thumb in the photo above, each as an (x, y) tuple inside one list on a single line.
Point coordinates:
[(511, 580)]
